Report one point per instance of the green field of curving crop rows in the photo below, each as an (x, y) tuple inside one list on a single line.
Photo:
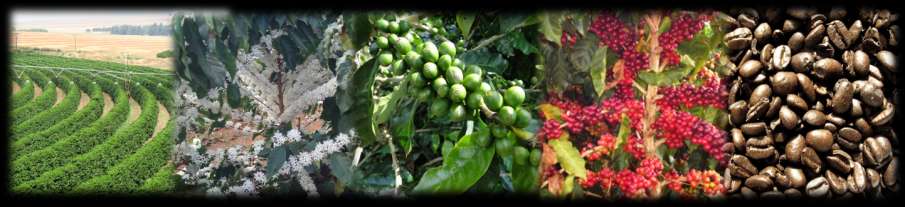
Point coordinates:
[(103, 131)]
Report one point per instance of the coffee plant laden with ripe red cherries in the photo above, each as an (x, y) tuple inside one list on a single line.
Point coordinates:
[(635, 105)]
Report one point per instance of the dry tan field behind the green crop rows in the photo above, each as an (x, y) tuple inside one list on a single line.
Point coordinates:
[(141, 50)]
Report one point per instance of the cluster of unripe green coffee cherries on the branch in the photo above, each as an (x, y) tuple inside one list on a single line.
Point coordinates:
[(454, 90)]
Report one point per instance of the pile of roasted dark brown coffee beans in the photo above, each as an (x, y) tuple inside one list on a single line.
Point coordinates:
[(811, 103)]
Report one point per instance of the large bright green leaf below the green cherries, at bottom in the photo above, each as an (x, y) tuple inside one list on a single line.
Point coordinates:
[(462, 167)]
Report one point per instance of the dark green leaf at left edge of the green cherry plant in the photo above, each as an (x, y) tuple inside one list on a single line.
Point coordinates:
[(355, 102)]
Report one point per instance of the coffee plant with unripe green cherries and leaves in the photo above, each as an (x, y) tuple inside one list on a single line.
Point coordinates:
[(437, 106)]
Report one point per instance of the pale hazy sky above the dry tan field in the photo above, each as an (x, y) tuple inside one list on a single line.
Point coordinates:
[(76, 21)]
